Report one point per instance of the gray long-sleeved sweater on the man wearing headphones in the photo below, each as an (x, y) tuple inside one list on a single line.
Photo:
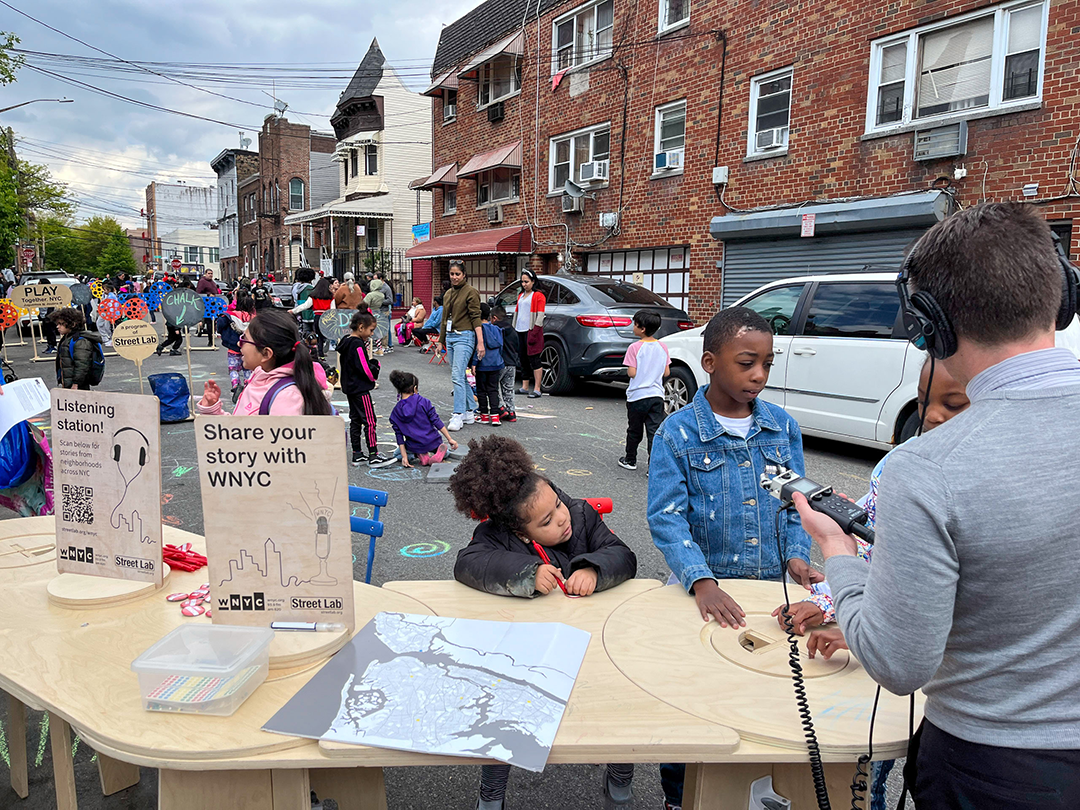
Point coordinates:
[(975, 593)]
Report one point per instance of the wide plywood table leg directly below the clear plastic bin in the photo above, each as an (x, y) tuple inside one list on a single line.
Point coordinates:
[(215, 790)]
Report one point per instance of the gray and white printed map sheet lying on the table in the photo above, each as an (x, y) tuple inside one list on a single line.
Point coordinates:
[(436, 685)]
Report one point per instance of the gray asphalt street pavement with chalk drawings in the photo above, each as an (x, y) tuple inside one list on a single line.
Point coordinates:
[(574, 440)]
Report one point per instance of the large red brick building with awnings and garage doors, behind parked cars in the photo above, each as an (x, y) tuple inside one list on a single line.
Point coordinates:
[(877, 120)]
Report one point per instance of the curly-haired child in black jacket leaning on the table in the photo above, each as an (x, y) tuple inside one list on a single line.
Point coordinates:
[(534, 539)]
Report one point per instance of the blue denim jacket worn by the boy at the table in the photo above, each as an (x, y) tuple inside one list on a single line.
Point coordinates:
[(708, 511)]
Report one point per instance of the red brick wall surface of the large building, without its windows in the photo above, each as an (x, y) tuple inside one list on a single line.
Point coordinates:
[(829, 156)]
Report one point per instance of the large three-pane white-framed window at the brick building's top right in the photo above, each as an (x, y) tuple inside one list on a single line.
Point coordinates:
[(989, 60)]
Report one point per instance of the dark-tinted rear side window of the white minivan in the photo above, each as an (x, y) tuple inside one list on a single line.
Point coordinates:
[(854, 310)]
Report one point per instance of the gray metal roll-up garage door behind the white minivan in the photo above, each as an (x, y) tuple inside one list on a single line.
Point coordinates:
[(749, 264)]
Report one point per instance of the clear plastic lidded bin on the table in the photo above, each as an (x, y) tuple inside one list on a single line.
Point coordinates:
[(204, 669)]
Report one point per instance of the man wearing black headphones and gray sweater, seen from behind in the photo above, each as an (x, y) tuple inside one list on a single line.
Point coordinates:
[(974, 595)]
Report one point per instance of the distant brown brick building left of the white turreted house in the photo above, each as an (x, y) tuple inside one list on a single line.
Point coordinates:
[(296, 172)]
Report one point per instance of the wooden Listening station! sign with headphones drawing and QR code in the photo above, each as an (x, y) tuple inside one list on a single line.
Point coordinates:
[(107, 465)]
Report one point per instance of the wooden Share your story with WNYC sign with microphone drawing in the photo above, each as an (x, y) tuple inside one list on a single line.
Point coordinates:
[(276, 511)]
